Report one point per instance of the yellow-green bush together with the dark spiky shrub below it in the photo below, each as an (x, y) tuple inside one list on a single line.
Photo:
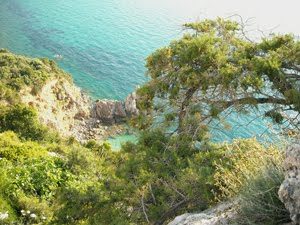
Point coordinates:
[(252, 175)]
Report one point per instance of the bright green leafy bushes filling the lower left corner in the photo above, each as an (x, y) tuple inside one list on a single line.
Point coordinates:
[(34, 174)]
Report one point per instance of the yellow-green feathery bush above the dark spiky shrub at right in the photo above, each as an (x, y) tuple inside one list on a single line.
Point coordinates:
[(241, 162)]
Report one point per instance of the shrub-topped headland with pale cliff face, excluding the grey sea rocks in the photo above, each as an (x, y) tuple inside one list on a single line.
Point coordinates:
[(39, 85)]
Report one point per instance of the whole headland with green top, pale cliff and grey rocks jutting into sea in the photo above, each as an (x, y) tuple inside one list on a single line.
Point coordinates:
[(60, 104)]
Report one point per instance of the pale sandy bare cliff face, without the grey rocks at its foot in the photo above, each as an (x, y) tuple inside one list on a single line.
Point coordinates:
[(60, 105)]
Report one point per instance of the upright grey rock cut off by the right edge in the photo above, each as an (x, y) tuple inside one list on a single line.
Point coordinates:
[(289, 191)]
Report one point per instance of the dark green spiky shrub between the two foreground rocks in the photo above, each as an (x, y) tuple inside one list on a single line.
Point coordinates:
[(259, 201)]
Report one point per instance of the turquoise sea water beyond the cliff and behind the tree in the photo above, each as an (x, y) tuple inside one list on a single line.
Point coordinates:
[(104, 43)]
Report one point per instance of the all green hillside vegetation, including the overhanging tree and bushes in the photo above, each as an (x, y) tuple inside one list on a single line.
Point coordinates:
[(48, 178)]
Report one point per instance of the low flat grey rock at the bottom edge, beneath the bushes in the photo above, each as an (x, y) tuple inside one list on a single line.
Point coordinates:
[(220, 215)]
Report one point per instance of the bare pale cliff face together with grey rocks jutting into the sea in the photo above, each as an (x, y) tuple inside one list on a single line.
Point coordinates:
[(65, 108)]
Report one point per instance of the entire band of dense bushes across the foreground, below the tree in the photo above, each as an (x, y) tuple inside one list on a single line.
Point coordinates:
[(146, 182)]
